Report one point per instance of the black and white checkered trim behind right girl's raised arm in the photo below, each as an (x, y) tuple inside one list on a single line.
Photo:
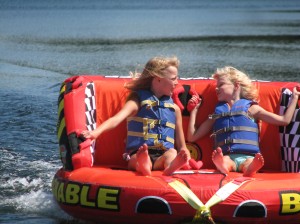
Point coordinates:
[(289, 136)]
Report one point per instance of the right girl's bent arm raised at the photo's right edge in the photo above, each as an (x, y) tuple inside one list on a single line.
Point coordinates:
[(275, 119)]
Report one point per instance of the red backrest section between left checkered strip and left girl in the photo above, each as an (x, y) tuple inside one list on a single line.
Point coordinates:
[(111, 96)]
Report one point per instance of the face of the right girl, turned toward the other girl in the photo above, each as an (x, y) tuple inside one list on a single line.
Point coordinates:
[(225, 89)]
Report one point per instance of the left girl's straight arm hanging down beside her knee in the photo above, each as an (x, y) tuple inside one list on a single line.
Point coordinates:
[(179, 135)]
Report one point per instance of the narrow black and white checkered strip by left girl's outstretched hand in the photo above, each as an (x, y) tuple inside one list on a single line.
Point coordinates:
[(90, 110)]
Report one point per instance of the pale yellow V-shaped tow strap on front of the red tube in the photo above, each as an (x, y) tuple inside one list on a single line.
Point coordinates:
[(203, 214)]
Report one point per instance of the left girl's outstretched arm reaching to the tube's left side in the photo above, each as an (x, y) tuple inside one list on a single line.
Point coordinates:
[(131, 107)]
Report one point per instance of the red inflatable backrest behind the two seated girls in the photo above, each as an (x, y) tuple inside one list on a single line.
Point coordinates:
[(95, 99)]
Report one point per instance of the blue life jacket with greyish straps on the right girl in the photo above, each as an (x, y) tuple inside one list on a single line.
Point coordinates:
[(234, 130)]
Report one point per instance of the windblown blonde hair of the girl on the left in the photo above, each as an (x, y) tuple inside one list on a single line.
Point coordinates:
[(154, 68)]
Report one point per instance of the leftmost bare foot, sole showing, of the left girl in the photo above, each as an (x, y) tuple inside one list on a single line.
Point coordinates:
[(143, 164)]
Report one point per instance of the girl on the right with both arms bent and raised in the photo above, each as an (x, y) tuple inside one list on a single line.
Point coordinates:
[(235, 122)]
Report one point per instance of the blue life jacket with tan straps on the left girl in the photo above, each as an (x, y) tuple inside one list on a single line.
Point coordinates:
[(154, 124)]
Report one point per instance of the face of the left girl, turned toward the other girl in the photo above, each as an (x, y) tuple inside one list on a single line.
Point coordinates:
[(170, 80)]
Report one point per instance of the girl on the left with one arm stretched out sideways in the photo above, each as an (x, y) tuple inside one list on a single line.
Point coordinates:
[(154, 122)]
